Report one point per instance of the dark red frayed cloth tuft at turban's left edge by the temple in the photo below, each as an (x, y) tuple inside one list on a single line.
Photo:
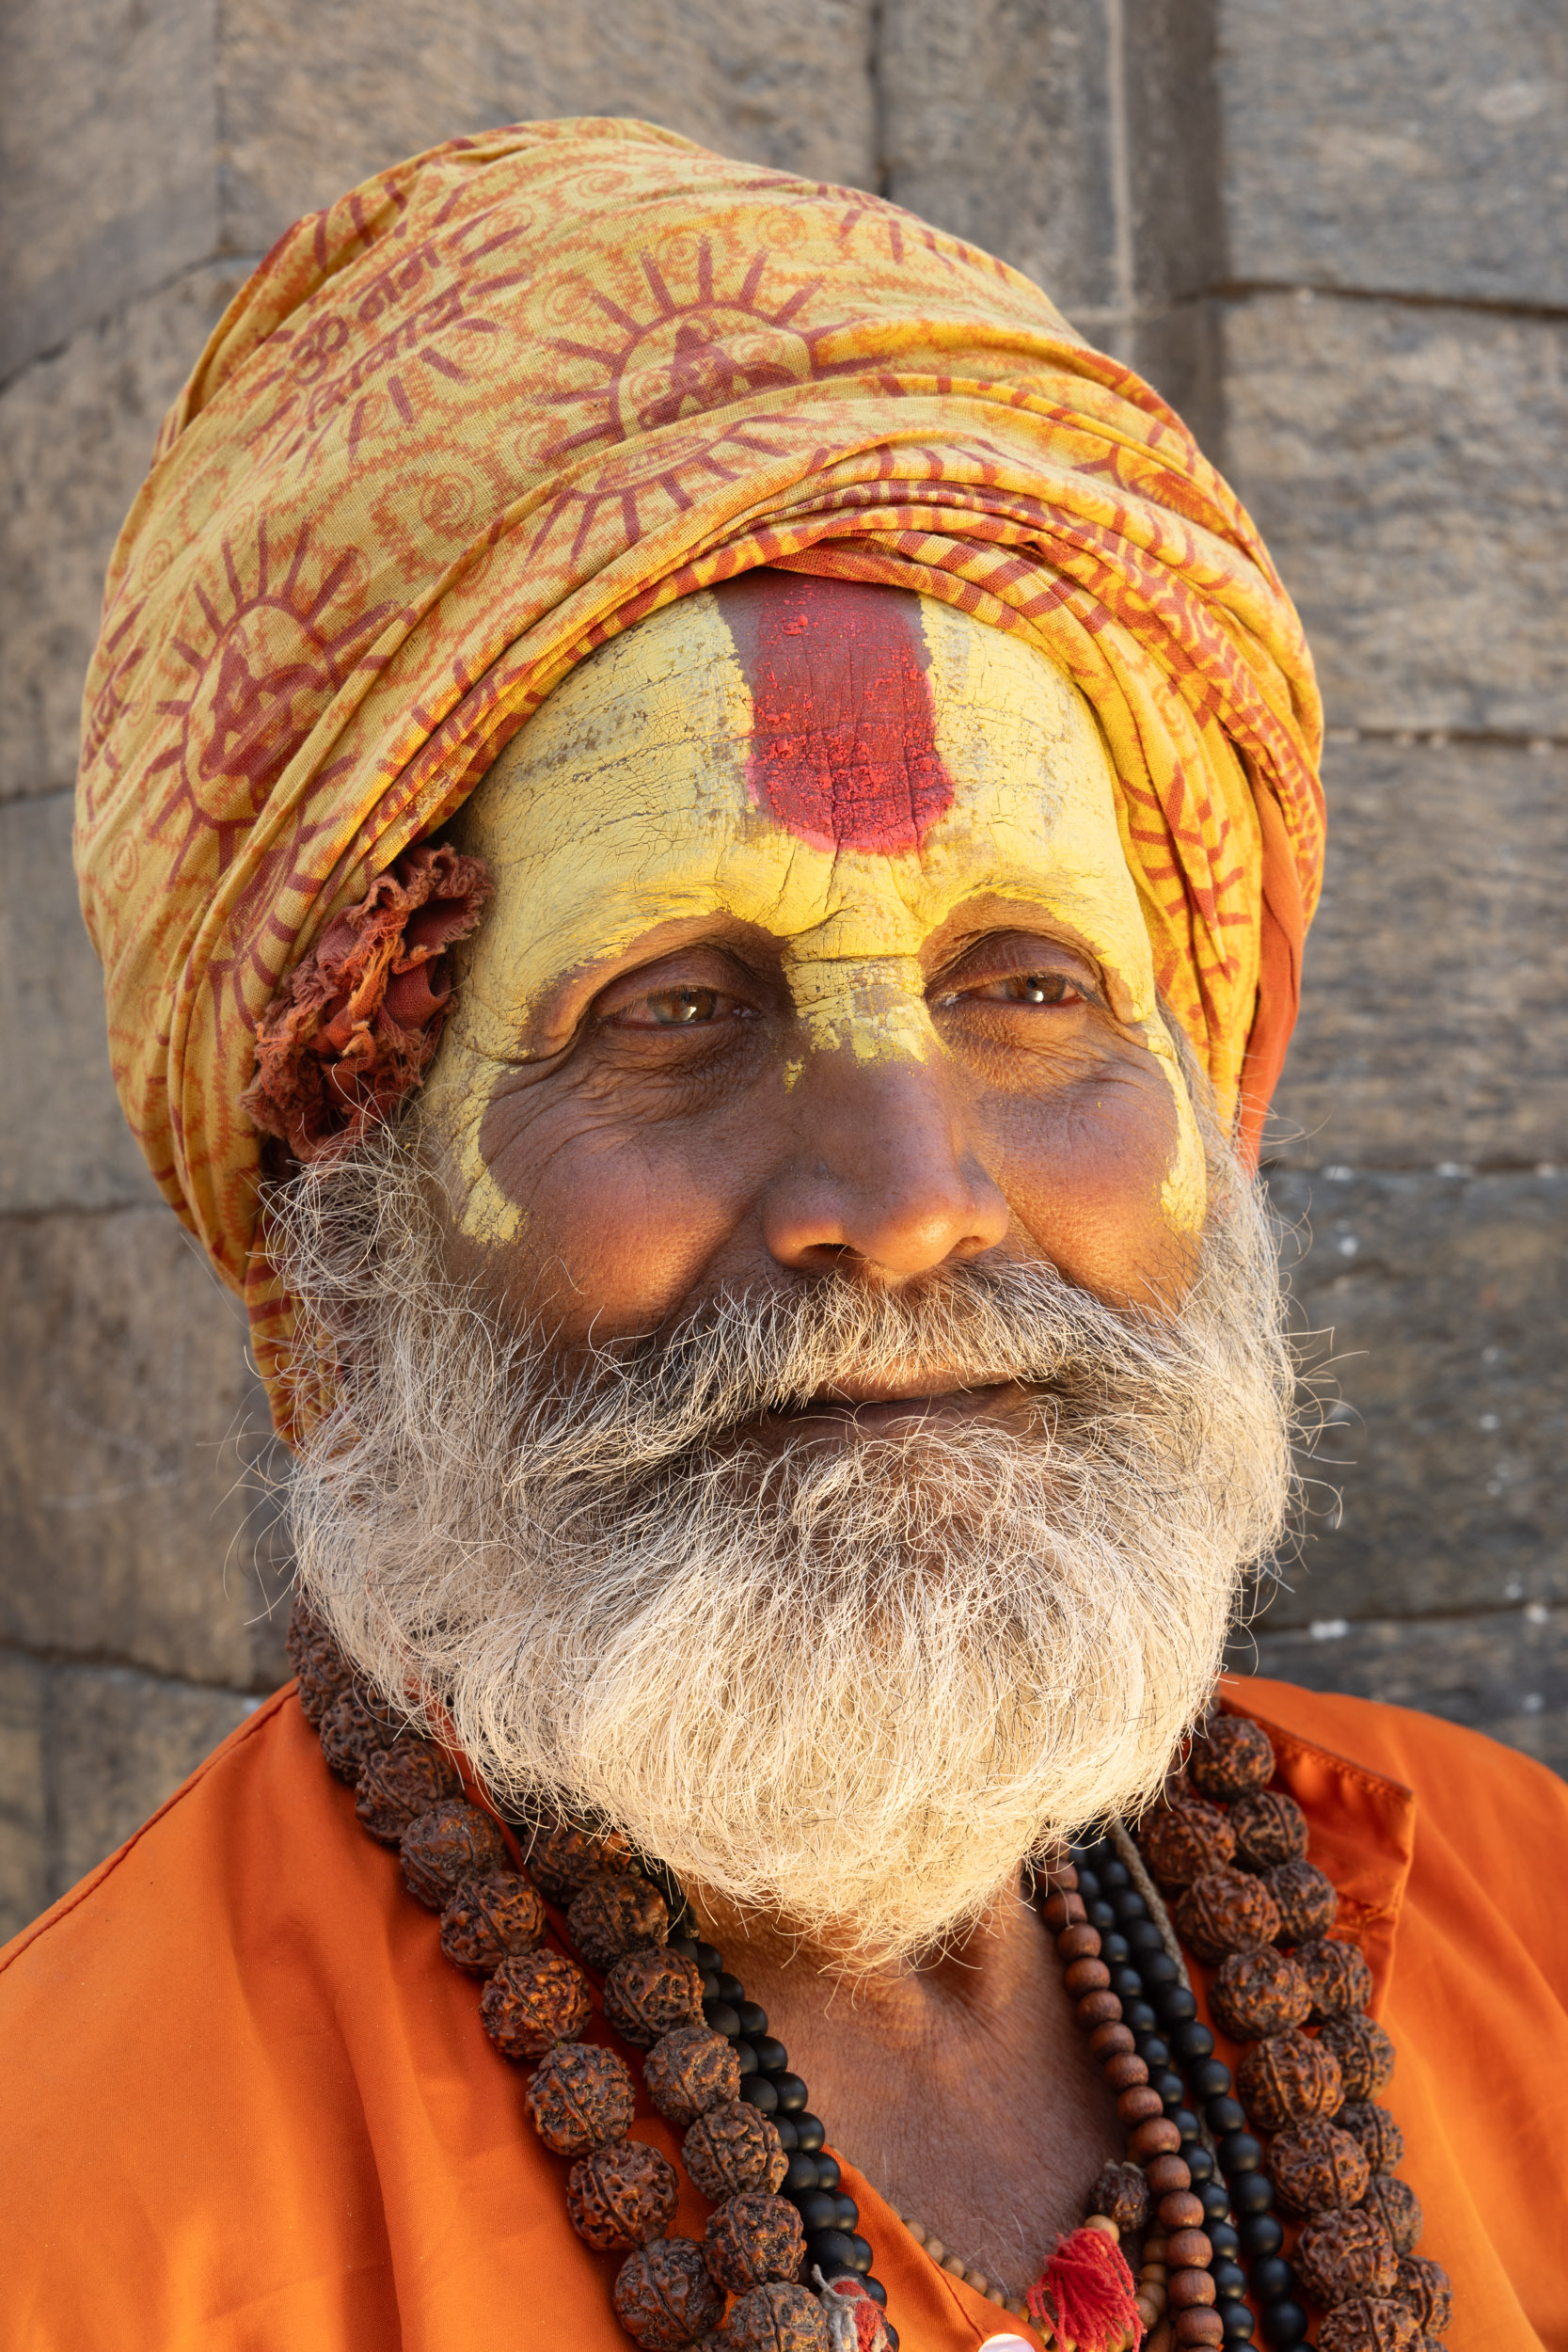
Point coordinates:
[(356, 1024)]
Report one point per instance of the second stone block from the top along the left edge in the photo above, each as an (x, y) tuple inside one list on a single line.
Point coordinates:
[(76, 436)]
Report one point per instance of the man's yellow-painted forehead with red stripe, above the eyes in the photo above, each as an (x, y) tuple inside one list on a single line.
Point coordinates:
[(810, 756)]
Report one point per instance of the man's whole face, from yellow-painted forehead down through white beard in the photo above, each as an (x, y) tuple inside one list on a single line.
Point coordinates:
[(810, 1050)]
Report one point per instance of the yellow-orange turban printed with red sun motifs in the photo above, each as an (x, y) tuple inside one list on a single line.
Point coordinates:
[(516, 394)]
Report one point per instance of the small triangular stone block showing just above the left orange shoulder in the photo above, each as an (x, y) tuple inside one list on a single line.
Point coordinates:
[(121, 1746)]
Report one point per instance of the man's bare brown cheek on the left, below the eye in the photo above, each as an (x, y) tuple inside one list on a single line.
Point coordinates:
[(617, 1222)]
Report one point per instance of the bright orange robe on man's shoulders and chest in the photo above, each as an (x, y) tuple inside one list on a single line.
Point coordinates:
[(250, 2109)]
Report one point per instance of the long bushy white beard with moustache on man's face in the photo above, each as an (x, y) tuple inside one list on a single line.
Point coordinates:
[(852, 1685)]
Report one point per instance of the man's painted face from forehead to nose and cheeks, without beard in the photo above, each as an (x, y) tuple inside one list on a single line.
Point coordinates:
[(815, 949)]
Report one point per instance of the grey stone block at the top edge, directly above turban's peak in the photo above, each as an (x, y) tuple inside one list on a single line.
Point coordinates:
[(319, 98)]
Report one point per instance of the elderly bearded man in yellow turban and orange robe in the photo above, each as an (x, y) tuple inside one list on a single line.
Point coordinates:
[(702, 829)]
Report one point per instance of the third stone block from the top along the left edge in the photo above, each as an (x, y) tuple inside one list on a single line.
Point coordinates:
[(62, 1137)]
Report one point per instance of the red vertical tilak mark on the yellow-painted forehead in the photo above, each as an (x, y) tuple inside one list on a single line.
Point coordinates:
[(843, 721)]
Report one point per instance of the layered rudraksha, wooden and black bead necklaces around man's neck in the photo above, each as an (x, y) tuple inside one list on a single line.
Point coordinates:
[(756, 2151)]
